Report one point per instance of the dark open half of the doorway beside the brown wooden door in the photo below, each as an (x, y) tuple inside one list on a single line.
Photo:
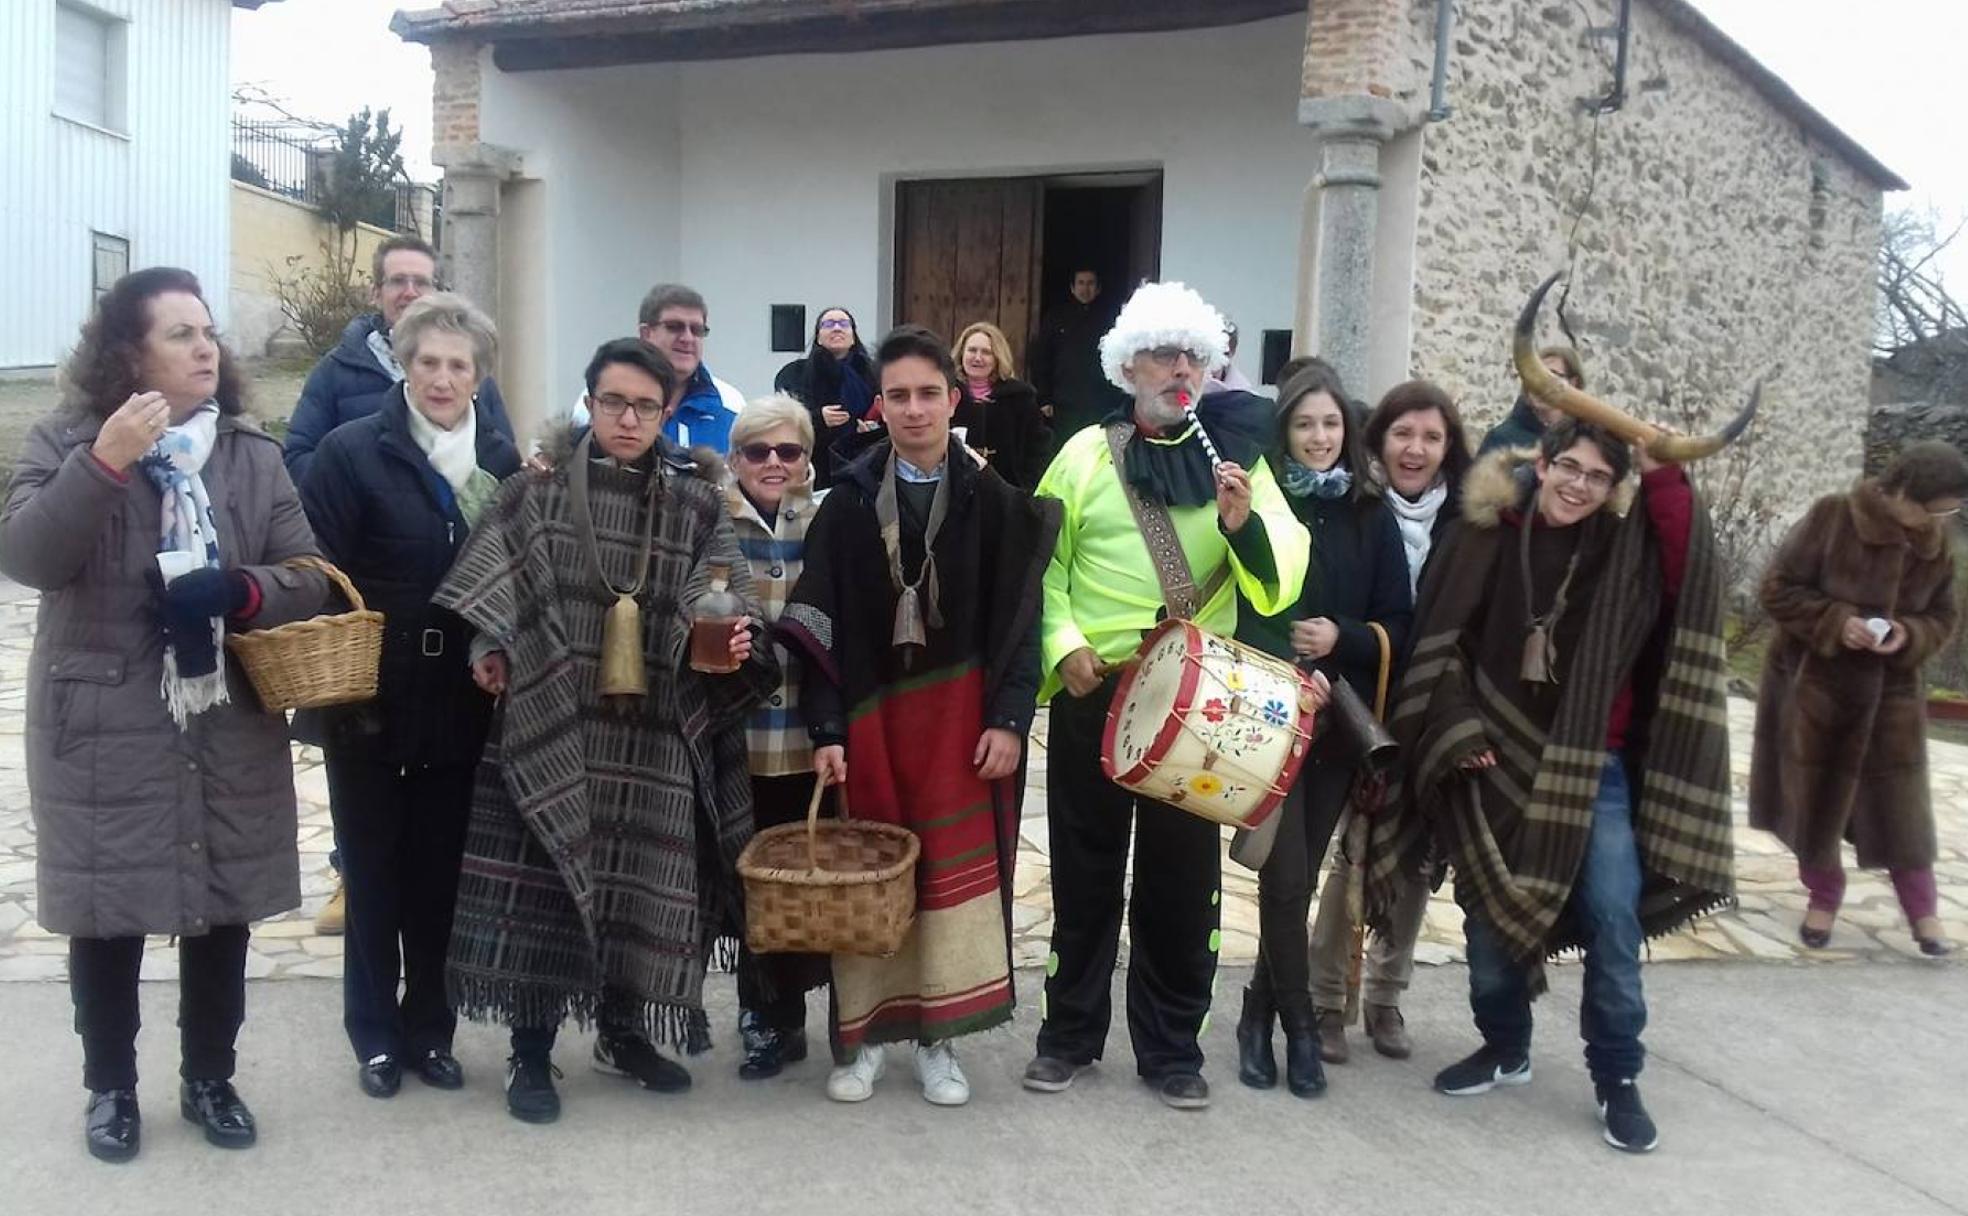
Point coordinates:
[(1109, 225)]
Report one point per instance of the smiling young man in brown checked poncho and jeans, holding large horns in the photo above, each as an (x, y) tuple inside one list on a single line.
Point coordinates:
[(1568, 737)]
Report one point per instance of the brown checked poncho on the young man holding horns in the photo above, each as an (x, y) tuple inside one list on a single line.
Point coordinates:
[(1516, 835)]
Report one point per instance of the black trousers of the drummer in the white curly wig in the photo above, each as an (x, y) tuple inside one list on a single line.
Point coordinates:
[(1174, 918)]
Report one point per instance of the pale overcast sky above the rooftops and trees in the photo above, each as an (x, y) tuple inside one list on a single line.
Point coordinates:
[(1888, 78)]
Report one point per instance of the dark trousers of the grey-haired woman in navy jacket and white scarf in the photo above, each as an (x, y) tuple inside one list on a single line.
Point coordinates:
[(402, 837)]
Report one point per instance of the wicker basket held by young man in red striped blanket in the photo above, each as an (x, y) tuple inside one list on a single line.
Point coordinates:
[(830, 888)]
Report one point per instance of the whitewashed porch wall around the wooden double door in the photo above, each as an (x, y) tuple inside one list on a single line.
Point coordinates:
[(770, 180)]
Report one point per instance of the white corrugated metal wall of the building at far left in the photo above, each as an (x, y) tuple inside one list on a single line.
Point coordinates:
[(162, 184)]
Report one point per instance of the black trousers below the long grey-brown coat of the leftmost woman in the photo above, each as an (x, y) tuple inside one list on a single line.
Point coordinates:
[(212, 1004)]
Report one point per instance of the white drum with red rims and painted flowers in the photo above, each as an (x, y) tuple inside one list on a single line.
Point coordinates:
[(1207, 725)]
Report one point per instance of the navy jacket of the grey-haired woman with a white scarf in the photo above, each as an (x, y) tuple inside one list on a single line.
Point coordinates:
[(393, 524)]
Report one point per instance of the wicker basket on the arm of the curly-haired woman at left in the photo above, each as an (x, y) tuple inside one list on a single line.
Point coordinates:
[(328, 660)]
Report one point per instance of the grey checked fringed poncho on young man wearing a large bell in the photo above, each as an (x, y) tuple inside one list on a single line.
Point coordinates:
[(603, 845)]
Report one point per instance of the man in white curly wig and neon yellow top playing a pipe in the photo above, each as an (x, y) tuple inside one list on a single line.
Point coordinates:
[(1196, 479)]
